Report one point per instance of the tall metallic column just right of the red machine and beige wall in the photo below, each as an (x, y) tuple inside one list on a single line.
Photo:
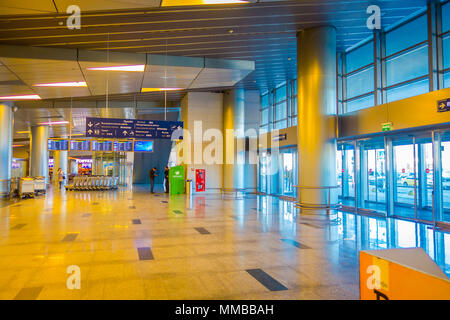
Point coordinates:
[(233, 118)]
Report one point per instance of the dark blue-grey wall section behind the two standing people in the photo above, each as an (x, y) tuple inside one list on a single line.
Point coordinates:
[(143, 162)]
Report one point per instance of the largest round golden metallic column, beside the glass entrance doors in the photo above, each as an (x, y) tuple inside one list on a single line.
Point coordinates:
[(316, 61)]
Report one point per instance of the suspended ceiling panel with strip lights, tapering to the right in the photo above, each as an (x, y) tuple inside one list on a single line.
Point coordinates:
[(35, 65)]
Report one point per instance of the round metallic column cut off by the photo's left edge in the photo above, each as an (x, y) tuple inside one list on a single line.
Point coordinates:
[(6, 136)]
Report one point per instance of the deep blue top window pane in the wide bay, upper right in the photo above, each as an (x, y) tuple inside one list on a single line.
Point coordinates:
[(407, 35)]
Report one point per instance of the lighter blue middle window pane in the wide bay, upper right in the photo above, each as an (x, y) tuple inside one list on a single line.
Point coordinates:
[(407, 66)]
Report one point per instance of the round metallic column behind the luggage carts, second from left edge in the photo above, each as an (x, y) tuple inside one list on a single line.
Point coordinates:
[(39, 152)]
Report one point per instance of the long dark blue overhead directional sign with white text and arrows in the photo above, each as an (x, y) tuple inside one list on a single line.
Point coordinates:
[(131, 128)]
